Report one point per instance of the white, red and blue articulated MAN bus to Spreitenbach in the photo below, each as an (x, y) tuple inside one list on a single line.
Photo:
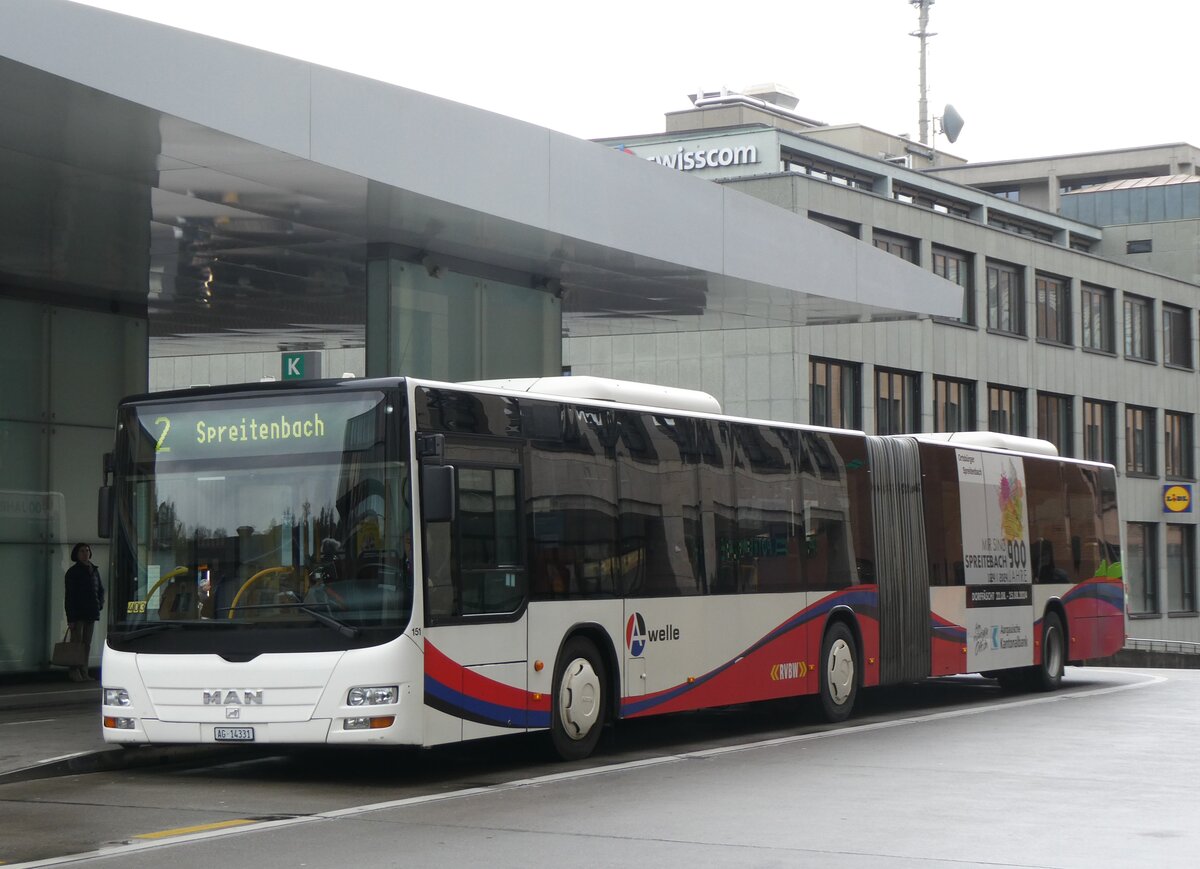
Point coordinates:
[(417, 564)]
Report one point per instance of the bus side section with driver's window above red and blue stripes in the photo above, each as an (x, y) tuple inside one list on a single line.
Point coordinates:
[(476, 597)]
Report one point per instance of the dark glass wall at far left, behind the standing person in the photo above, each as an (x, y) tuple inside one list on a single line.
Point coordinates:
[(65, 370)]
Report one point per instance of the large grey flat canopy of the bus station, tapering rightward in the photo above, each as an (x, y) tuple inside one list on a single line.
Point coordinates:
[(238, 195)]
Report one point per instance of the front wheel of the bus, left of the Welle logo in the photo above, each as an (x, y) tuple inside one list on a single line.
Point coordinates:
[(578, 706)]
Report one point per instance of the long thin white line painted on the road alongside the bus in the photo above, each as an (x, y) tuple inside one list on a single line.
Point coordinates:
[(125, 849)]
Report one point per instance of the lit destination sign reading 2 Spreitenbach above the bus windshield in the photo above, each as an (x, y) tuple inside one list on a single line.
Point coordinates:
[(319, 424)]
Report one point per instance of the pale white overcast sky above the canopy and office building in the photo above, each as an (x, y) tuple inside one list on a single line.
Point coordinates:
[(1031, 77)]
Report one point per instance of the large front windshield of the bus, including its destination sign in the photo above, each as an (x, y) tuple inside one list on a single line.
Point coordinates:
[(283, 516)]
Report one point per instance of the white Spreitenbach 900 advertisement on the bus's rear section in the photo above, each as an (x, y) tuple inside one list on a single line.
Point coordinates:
[(997, 560)]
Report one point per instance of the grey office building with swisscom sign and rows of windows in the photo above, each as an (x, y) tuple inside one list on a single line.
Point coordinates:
[(1066, 333)]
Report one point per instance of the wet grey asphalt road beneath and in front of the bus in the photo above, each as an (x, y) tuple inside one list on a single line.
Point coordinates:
[(951, 774)]
